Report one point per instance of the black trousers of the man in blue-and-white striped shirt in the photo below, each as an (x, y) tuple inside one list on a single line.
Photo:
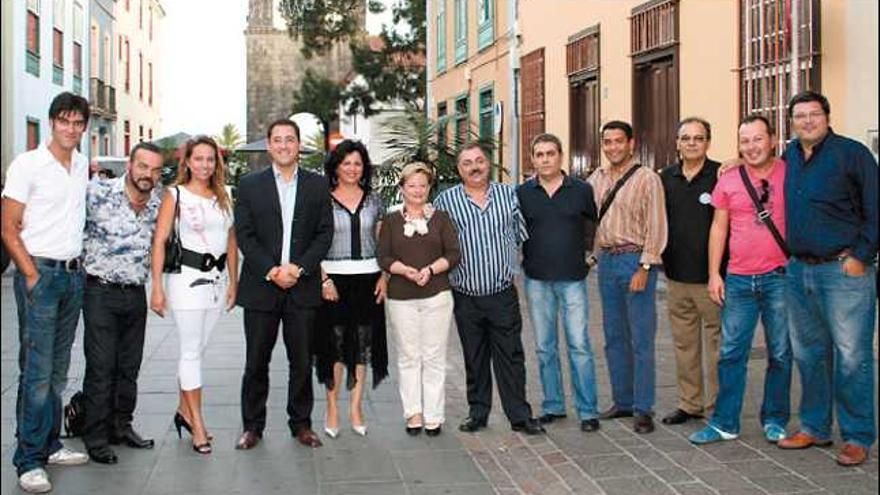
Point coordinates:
[(490, 329)]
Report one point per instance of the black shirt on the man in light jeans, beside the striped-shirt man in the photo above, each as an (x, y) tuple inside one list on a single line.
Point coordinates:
[(558, 228)]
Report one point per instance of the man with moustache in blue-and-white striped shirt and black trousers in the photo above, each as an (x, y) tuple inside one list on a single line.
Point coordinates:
[(490, 225)]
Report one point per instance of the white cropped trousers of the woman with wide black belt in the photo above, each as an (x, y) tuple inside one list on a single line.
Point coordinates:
[(194, 327)]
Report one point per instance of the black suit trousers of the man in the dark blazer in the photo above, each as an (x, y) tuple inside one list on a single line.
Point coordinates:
[(261, 333)]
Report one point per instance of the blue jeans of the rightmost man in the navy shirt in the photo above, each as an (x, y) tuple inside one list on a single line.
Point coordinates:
[(832, 321)]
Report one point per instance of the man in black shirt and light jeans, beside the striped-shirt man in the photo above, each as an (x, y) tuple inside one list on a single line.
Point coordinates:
[(559, 212)]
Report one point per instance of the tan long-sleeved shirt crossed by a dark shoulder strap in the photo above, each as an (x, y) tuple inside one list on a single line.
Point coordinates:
[(637, 214)]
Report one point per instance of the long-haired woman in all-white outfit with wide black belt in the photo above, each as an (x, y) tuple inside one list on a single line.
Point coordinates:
[(208, 279)]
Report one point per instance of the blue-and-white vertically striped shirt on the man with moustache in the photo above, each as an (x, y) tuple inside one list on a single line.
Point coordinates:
[(488, 238)]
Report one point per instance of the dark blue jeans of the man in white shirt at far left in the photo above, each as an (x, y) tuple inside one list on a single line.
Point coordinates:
[(47, 319)]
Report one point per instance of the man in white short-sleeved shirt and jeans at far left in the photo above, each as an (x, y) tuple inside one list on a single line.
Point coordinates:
[(42, 228)]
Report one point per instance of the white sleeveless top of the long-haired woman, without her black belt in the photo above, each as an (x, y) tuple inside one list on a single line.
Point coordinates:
[(204, 228)]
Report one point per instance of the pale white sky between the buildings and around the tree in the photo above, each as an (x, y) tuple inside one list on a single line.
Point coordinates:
[(202, 77)]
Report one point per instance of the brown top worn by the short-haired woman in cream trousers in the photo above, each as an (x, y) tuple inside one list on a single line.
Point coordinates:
[(418, 252)]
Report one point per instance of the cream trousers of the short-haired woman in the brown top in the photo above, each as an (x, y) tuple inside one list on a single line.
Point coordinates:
[(420, 329)]
